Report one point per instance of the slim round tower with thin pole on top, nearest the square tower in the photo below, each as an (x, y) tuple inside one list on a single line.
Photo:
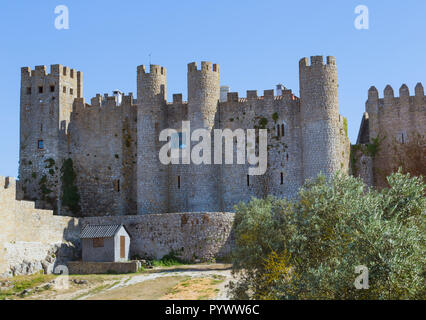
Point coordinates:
[(152, 187)]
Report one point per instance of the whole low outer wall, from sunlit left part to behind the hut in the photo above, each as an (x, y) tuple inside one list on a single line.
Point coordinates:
[(34, 240)]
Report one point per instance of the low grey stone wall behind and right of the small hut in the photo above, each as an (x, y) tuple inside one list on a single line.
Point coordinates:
[(191, 236)]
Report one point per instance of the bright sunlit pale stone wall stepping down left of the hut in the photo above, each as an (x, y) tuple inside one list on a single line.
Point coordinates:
[(32, 240)]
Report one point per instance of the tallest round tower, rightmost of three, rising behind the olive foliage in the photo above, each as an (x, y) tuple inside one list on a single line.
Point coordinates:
[(319, 113)]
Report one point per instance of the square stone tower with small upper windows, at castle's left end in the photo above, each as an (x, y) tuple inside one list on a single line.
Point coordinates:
[(46, 105)]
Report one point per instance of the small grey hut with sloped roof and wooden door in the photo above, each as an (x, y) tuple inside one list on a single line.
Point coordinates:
[(105, 243)]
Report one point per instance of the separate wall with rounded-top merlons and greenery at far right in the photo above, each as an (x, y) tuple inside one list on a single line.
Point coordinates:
[(388, 122)]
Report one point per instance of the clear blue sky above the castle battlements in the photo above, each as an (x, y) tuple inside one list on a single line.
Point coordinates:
[(257, 44)]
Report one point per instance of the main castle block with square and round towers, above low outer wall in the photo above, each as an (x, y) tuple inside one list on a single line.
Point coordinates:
[(102, 158)]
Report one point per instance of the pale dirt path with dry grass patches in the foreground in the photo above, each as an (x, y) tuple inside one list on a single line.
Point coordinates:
[(192, 282)]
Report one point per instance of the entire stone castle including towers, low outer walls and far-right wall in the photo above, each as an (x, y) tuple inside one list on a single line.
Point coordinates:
[(98, 163)]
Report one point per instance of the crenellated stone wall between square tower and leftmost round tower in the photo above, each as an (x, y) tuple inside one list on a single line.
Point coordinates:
[(102, 145)]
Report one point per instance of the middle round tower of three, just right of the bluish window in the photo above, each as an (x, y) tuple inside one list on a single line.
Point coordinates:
[(201, 181)]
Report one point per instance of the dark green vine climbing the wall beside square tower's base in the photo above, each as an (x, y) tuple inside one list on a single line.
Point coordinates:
[(70, 195)]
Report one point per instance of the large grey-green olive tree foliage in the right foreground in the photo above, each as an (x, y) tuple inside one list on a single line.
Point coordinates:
[(309, 248)]
